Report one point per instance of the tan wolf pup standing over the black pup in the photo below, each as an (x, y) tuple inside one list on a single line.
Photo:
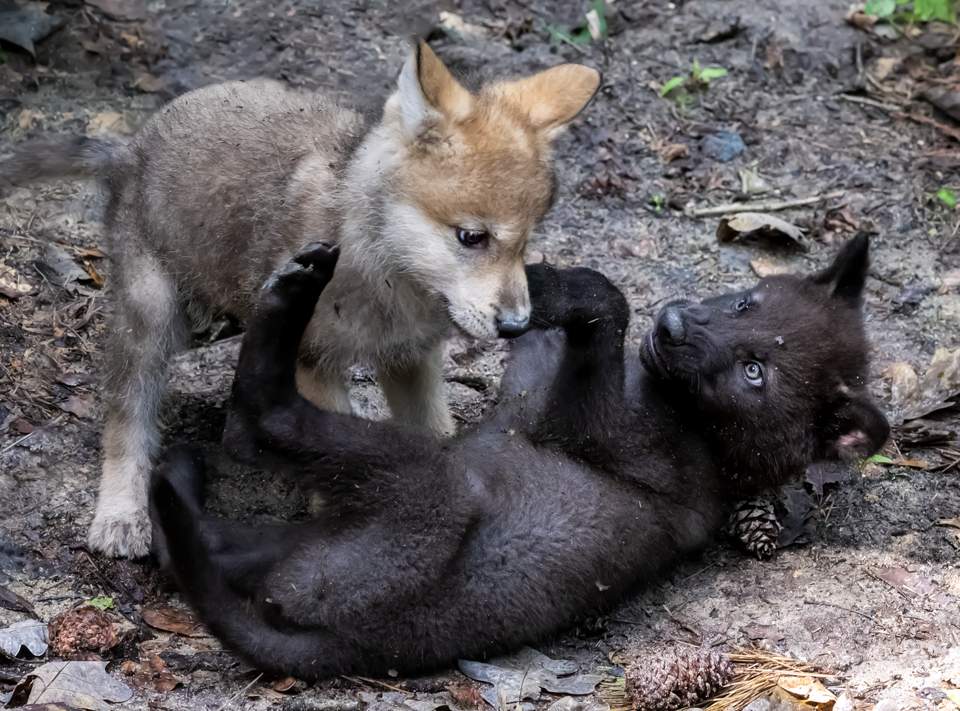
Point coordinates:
[(432, 209)]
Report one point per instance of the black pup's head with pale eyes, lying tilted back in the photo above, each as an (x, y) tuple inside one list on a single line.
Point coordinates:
[(780, 369)]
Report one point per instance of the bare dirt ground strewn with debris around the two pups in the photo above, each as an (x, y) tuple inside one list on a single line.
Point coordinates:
[(870, 590)]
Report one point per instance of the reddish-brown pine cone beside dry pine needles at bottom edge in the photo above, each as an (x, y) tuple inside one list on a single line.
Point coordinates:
[(684, 682)]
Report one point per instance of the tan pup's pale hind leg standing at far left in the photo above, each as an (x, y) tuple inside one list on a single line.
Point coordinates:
[(150, 327)]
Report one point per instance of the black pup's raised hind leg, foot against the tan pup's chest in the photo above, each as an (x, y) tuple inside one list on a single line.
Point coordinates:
[(271, 425)]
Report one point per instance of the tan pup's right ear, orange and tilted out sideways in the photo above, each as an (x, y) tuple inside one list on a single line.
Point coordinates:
[(553, 98)]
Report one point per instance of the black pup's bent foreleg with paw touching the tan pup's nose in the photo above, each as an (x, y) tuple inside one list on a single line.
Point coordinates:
[(585, 405)]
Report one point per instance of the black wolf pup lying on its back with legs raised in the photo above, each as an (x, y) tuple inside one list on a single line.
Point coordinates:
[(586, 482)]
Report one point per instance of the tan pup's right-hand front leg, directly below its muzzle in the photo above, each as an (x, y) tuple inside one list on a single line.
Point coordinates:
[(416, 395)]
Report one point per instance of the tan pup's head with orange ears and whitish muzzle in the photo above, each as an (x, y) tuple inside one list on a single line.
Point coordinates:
[(471, 178)]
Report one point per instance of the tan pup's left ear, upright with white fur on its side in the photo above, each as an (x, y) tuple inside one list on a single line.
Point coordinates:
[(427, 91)]
